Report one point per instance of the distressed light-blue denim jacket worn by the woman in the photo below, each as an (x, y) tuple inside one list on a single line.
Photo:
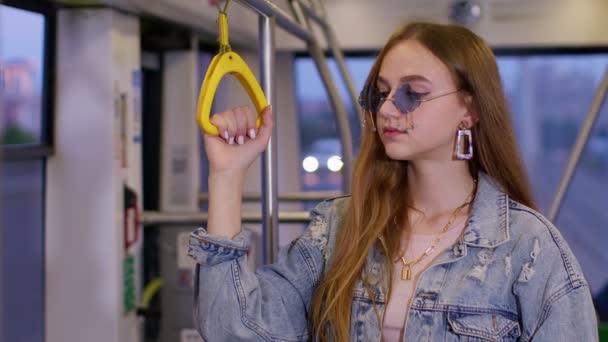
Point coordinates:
[(510, 277)]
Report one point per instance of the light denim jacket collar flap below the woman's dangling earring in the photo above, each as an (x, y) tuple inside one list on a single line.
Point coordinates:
[(488, 225)]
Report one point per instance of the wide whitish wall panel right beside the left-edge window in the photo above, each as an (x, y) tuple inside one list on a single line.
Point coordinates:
[(84, 225)]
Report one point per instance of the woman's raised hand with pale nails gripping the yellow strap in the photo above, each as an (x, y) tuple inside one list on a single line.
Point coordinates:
[(240, 142)]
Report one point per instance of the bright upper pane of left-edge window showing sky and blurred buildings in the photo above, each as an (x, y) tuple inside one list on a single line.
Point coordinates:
[(22, 39)]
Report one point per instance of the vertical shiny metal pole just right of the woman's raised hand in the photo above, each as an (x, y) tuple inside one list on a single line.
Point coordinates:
[(269, 158)]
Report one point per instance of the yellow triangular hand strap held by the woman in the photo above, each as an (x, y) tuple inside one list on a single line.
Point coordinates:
[(226, 61)]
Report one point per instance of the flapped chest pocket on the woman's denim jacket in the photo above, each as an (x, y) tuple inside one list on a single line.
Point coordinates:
[(481, 327)]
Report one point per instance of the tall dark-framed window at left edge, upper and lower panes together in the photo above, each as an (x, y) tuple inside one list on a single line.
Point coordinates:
[(26, 38)]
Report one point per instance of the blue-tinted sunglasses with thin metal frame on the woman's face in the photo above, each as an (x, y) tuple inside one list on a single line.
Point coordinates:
[(405, 99)]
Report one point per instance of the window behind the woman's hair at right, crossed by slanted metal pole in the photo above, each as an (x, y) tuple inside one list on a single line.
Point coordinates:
[(550, 96)]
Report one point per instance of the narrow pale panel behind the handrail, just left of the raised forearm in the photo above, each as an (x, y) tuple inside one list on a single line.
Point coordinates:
[(180, 184)]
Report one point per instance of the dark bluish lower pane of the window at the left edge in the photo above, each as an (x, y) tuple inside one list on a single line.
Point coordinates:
[(22, 250)]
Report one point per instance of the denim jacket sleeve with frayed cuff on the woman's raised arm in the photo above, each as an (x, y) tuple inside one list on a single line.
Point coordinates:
[(232, 303)]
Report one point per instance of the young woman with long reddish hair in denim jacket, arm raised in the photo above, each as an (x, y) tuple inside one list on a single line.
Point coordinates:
[(439, 240)]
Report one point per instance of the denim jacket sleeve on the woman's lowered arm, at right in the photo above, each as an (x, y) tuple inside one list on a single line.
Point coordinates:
[(556, 299)]
